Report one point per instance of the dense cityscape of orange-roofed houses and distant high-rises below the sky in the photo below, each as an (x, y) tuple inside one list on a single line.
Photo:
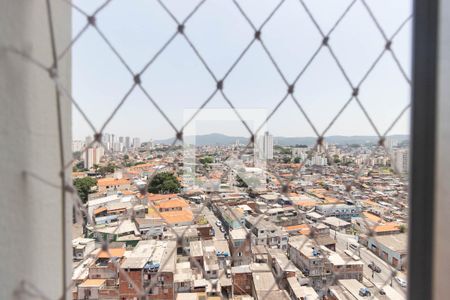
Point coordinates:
[(318, 221)]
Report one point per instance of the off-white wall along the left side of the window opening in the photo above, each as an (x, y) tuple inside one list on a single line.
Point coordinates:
[(31, 238)]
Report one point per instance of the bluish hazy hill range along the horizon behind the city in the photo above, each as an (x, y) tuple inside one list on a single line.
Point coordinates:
[(221, 139)]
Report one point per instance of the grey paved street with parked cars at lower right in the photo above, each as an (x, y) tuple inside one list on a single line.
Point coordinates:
[(379, 279)]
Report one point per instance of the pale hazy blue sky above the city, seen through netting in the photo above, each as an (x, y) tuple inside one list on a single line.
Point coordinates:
[(179, 82)]
